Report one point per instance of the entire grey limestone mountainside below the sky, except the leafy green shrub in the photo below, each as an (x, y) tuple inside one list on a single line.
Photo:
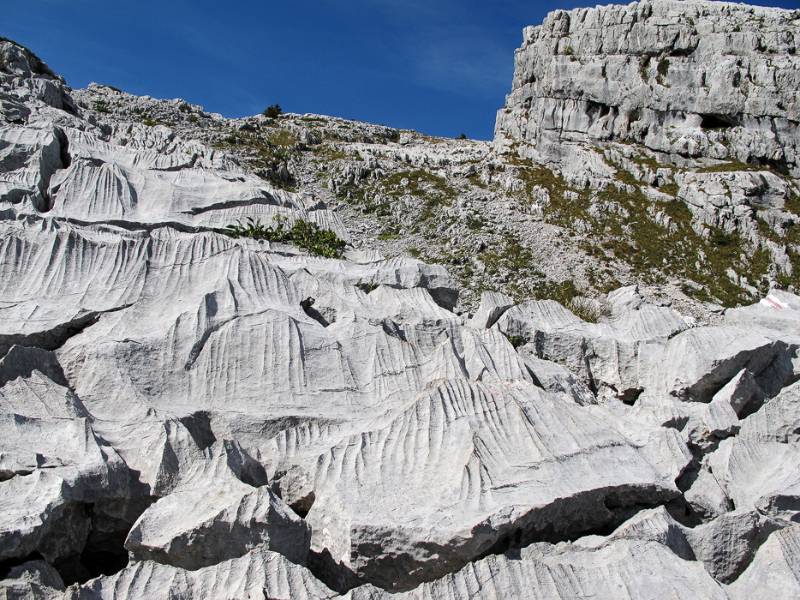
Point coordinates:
[(185, 414)]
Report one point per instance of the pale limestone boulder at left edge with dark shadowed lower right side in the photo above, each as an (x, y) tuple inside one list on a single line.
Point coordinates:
[(52, 463)]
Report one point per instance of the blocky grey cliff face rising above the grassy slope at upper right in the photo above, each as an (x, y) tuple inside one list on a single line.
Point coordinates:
[(696, 79)]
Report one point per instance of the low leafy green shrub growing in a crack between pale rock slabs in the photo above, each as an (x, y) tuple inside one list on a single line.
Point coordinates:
[(308, 236)]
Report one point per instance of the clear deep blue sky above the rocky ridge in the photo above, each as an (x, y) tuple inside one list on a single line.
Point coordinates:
[(439, 66)]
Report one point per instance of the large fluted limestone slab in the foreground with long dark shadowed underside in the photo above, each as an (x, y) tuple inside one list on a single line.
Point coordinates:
[(491, 465)]
